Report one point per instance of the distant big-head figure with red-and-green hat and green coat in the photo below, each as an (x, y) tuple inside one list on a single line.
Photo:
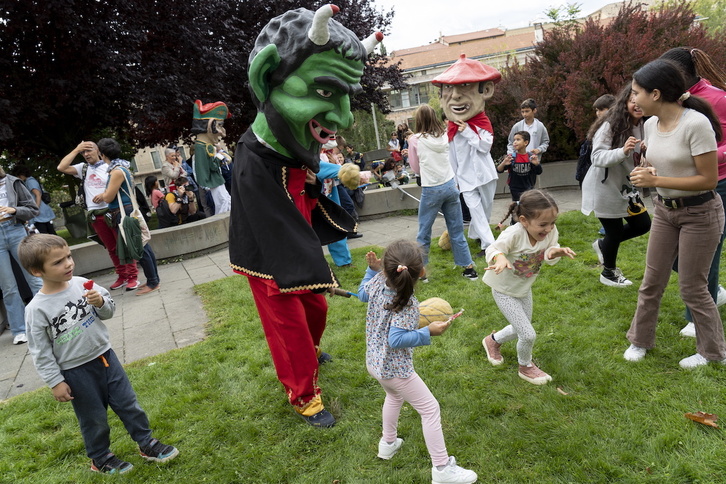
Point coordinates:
[(208, 125)]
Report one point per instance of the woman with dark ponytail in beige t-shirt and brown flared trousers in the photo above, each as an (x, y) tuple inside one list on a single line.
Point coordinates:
[(681, 158)]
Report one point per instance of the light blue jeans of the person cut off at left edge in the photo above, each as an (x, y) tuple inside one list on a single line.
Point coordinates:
[(11, 234)]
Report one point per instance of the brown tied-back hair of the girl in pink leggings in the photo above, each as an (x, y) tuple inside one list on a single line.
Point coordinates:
[(402, 265)]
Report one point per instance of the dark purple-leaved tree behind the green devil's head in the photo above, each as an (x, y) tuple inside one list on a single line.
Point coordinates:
[(71, 69)]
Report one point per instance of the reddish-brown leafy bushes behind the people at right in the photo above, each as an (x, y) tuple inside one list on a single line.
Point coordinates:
[(575, 64)]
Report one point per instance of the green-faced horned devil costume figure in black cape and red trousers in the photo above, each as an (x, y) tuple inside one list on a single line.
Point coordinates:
[(302, 71)]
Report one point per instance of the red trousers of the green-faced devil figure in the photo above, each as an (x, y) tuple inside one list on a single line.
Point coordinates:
[(293, 324)]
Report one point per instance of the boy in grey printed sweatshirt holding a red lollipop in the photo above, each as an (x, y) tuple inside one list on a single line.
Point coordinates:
[(72, 353)]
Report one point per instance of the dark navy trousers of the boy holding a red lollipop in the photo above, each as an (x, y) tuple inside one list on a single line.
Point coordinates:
[(95, 387)]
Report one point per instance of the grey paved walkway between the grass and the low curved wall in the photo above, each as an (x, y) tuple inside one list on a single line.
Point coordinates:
[(147, 325)]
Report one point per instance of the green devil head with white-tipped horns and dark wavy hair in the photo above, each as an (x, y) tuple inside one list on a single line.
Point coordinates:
[(302, 72)]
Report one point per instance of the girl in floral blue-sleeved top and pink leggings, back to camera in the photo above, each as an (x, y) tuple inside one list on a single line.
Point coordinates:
[(391, 334)]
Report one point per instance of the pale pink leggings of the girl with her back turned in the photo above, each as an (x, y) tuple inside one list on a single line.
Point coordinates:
[(414, 391)]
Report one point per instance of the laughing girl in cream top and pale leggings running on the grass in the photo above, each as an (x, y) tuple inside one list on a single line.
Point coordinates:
[(515, 259)]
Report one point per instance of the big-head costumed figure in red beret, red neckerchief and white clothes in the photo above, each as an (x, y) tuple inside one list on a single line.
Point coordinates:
[(465, 88)]
